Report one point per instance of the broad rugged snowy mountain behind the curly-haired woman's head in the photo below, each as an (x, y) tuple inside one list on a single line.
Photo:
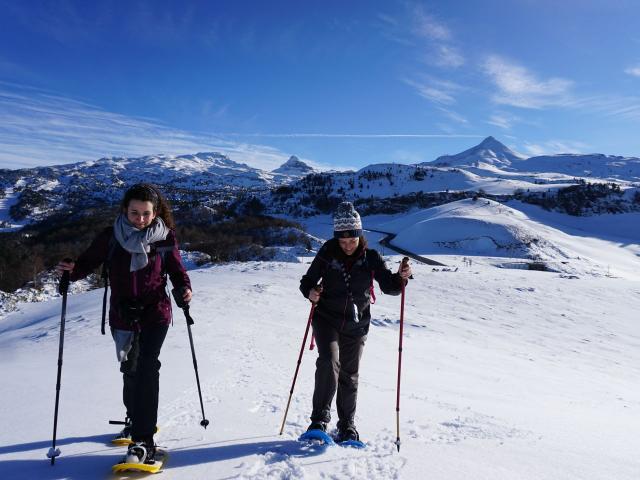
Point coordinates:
[(206, 178)]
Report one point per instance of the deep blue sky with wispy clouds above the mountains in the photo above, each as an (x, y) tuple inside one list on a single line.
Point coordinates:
[(337, 83)]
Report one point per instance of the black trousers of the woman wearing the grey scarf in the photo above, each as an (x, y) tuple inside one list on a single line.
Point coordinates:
[(141, 378)]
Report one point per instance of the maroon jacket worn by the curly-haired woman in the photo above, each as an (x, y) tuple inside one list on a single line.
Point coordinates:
[(146, 285)]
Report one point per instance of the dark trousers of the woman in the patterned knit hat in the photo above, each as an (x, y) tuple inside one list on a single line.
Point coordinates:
[(336, 369)]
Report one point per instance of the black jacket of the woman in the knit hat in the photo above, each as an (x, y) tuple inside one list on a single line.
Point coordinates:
[(335, 305)]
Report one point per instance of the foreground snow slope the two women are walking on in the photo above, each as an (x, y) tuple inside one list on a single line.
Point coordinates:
[(507, 374)]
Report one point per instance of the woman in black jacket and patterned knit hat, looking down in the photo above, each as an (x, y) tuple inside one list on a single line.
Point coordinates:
[(341, 318)]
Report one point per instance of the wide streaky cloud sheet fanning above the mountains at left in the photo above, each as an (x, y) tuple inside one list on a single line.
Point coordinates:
[(41, 128)]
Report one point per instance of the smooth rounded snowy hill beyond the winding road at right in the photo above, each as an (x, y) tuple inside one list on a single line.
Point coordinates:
[(492, 229)]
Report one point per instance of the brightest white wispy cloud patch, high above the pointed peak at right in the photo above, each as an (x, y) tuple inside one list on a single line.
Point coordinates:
[(518, 87)]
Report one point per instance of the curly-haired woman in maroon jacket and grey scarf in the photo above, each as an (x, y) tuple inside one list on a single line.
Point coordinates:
[(139, 251)]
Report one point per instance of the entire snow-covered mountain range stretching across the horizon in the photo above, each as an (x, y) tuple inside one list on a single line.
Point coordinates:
[(211, 179)]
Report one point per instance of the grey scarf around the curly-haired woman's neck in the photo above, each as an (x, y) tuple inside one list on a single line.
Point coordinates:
[(137, 242)]
